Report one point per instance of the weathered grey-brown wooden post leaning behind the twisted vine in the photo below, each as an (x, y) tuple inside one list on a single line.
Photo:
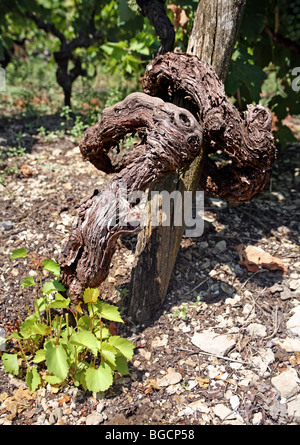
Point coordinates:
[(212, 40)]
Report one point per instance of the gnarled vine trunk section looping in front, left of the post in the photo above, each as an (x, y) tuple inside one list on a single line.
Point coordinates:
[(169, 138)]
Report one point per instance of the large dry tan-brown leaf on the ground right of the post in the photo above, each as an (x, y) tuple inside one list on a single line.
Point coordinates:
[(254, 258)]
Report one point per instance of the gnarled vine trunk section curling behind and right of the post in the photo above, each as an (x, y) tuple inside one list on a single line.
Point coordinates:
[(245, 139)]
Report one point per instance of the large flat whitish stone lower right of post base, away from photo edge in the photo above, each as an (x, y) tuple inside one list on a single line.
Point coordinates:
[(218, 344)]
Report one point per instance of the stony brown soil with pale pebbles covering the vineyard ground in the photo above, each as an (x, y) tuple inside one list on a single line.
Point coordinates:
[(225, 348)]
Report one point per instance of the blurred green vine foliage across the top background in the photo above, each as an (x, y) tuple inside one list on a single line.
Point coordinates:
[(266, 51)]
